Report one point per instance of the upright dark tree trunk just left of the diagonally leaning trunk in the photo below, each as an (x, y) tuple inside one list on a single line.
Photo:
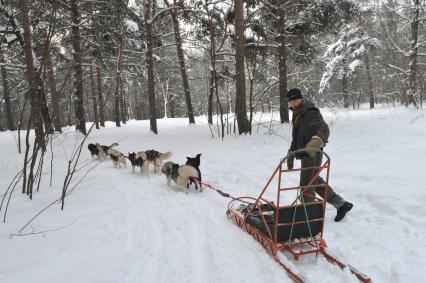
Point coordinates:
[(150, 66)]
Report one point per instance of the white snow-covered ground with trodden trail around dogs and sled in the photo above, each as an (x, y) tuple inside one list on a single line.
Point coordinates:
[(123, 227)]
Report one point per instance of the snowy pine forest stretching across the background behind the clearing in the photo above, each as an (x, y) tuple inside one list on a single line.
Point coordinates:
[(70, 62)]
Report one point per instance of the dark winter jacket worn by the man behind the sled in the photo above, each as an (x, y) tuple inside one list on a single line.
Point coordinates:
[(310, 123)]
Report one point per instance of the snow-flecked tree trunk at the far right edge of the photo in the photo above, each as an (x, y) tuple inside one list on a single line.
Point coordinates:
[(413, 55)]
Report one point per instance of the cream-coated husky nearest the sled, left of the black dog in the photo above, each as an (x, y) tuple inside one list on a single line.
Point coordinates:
[(179, 174)]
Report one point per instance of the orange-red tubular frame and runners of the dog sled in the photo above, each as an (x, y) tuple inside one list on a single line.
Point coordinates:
[(310, 245)]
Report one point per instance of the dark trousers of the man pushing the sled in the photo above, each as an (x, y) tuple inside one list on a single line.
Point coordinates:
[(306, 175)]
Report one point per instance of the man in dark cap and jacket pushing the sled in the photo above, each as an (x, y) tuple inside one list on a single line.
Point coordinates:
[(311, 131)]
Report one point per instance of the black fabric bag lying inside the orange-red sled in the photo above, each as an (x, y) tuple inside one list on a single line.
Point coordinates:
[(301, 230)]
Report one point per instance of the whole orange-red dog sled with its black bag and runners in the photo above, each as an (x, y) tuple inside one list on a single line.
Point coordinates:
[(293, 227)]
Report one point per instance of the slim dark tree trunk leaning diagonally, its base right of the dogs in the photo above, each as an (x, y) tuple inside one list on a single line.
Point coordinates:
[(182, 66)]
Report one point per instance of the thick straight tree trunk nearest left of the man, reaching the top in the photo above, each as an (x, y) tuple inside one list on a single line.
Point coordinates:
[(240, 101)]
